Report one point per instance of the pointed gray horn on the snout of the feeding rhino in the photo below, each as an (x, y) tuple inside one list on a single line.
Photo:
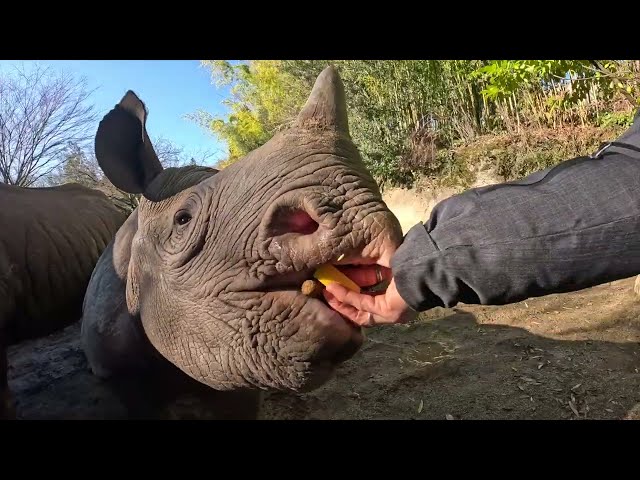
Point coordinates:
[(326, 107)]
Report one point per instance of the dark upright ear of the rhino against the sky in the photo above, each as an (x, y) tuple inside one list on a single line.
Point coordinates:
[(123, 149)]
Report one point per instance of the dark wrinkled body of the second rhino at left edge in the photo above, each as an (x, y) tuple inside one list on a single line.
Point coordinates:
[(50, 241)]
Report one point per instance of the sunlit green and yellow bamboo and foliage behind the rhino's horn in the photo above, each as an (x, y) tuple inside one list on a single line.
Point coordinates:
[(409, 117)]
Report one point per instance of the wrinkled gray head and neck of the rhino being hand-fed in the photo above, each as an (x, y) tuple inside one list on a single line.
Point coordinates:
[(204, 278)]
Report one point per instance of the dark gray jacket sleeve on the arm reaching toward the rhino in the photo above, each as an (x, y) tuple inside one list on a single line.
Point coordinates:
[(562, 229)]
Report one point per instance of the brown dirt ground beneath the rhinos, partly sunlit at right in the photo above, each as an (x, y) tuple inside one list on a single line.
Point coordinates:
[(568, 356)]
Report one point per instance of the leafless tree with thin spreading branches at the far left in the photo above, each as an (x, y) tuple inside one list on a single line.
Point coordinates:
[(42, 114)]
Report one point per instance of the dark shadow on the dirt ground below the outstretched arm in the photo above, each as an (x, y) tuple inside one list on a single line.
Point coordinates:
[(456, 368)]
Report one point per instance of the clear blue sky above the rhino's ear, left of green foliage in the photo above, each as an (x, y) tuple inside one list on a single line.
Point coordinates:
[(170, 89)]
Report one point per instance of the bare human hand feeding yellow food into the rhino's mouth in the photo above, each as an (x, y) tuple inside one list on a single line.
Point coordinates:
[(369, 309)]
